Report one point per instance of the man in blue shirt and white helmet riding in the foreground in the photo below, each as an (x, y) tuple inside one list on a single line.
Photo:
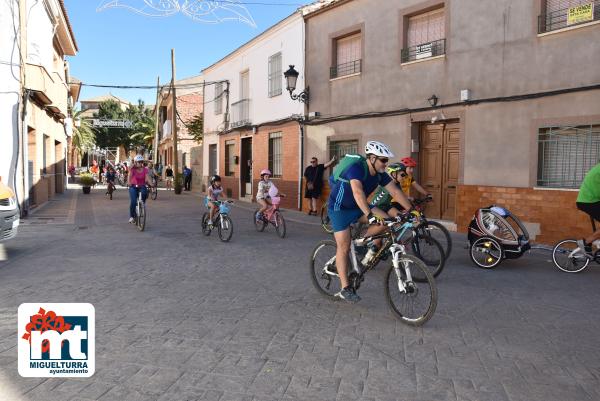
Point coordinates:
[(348, 204)]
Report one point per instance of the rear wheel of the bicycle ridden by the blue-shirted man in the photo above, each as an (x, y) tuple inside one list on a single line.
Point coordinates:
[(323, 270)]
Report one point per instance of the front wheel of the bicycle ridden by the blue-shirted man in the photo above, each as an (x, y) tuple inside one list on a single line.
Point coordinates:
[(412, 302)]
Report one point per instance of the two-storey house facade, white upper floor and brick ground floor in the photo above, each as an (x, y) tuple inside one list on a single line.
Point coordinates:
[(250, 121)]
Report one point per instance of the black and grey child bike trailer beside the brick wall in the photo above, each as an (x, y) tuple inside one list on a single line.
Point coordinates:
[(496, 234)]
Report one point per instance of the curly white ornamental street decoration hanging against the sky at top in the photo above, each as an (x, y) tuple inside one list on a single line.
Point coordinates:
[(202, 11)]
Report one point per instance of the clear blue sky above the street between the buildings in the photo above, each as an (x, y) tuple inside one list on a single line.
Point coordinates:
[(118, 46)]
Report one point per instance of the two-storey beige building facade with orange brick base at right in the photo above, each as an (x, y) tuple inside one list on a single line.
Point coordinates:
[(498, 101)]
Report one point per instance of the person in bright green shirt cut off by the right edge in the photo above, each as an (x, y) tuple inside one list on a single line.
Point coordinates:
[(588, 201)]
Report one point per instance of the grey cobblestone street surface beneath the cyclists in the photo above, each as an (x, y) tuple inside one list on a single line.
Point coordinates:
[(181, 316)]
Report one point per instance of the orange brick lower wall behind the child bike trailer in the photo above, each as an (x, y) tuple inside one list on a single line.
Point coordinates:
[(554, 211)]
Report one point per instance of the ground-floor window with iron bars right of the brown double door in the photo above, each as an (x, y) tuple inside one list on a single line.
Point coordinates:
[(566, 154)]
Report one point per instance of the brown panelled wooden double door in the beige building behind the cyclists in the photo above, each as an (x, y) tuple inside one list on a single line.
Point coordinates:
[(439, 163)]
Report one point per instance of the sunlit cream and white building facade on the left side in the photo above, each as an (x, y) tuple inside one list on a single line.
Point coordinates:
[(49, 99)]
